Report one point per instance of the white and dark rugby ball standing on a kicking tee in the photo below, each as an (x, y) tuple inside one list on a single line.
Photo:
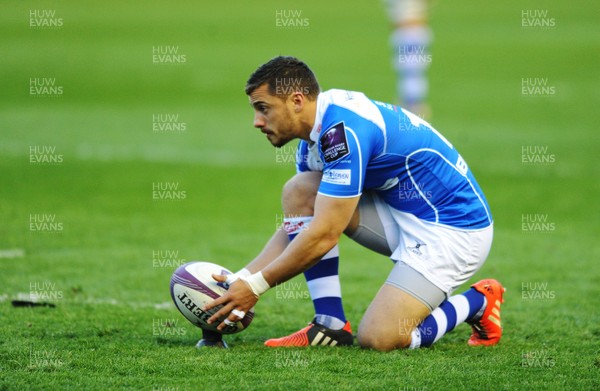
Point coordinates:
[(192, 286)]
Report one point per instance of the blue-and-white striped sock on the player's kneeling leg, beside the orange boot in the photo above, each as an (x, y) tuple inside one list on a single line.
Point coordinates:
[(452, 312)]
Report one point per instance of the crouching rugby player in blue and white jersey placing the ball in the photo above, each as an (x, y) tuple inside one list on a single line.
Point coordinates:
[(392, 183)]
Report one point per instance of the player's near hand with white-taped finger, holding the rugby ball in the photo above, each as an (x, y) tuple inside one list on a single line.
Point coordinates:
[(238, 300)]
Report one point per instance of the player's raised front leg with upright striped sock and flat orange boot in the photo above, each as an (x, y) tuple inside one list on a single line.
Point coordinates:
[(330, 326)]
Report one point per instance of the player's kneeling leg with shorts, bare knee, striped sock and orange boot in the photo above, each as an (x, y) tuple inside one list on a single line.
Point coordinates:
[(410, 310)]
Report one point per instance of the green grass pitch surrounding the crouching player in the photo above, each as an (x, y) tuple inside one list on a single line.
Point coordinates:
[(83, 108)]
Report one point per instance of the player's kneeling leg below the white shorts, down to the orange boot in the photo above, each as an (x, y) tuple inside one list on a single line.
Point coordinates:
[(400, 316)]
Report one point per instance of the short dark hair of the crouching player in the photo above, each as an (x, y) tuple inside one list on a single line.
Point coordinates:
[(284, 75)]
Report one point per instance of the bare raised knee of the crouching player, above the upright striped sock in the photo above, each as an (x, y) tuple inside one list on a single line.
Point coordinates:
[(299, 193)]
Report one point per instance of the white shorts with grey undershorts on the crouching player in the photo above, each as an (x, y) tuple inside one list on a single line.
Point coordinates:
[(446, 257)]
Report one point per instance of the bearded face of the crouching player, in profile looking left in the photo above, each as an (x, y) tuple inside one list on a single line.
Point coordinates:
[(274, 117)]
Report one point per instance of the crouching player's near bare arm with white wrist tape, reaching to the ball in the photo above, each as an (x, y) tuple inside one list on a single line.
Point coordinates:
[(331, 218)]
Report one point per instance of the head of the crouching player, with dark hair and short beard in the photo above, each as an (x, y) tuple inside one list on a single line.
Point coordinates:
[(283, 93)]
